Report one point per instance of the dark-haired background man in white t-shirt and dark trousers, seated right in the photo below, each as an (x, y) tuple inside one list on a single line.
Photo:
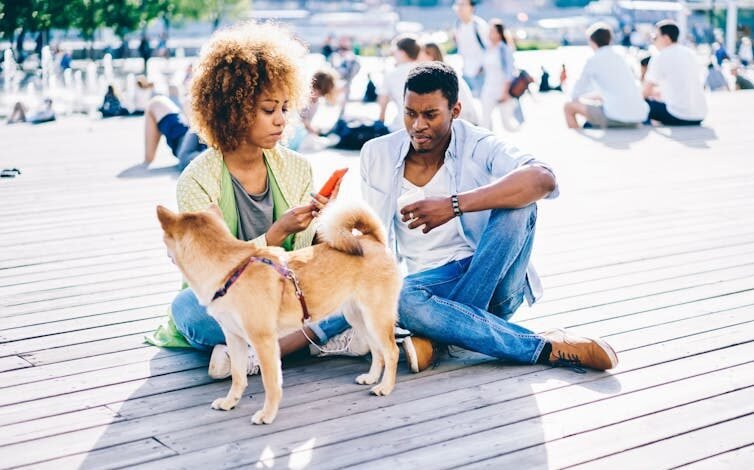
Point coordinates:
[(673, 85)]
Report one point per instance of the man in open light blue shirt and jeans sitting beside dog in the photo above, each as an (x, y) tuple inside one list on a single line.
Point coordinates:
[(459, 205)]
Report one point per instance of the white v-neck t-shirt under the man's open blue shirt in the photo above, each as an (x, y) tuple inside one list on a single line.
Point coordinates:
[(438, 247)]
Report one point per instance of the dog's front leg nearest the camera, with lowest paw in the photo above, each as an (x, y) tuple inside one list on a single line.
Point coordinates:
[(268, 352)]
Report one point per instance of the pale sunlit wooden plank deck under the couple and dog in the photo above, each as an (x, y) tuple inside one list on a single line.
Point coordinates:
[(651, 246)]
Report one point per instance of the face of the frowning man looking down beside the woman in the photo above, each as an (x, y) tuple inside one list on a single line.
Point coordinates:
[(428, 119)]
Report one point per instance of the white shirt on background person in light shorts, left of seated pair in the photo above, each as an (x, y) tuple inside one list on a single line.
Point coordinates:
[(608, 73)]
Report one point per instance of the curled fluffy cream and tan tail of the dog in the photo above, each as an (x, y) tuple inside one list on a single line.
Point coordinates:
[(339, 219)]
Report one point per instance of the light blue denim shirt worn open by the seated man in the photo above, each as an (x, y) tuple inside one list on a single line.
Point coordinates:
[(475, 157)]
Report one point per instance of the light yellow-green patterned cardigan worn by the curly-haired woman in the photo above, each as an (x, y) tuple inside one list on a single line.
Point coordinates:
[(207, 180)]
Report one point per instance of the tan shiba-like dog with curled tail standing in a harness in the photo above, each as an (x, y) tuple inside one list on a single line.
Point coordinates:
[(348, 270)]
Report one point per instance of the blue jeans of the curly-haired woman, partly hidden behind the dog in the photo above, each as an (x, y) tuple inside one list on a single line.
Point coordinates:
[(203, 332)]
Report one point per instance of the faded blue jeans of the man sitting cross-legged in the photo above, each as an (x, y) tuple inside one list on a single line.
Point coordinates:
[(467, 303)]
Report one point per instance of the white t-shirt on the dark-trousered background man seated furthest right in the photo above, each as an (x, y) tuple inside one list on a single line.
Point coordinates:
[(679, 75)]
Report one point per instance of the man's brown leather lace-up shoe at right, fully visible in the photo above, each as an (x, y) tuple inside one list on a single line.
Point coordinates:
[(575, 351)]
